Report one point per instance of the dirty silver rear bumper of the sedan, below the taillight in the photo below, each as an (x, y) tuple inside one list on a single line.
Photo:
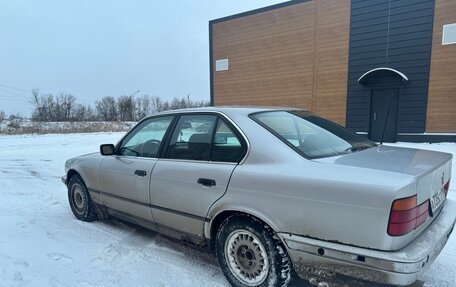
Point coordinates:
[(325, 260)]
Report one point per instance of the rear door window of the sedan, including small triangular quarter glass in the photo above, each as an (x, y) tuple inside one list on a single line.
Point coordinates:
[(205, 138)]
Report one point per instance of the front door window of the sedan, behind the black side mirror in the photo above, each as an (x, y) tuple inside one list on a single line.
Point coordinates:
[(146, 138)]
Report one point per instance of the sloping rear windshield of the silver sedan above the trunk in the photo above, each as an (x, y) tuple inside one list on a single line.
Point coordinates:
[(310, 135)]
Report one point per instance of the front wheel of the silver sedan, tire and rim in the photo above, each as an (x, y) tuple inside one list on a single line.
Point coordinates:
[(80, 202)]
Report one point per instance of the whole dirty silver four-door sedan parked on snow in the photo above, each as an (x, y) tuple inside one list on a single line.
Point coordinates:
[(273, 192)]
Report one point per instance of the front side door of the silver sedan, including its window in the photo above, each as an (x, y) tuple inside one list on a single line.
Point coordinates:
[(125, 177)]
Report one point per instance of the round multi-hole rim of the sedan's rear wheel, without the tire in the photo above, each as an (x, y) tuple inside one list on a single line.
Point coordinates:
[(246, 257)]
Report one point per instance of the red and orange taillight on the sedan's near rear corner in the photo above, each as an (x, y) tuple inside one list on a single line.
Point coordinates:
[(406, 216)]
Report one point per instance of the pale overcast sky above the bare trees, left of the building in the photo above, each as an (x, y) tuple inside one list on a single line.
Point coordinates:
[(97, 48)]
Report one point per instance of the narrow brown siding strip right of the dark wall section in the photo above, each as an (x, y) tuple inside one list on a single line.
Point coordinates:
[(441, 111)]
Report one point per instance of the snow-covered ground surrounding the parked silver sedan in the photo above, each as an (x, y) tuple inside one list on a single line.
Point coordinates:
[(42, 243)]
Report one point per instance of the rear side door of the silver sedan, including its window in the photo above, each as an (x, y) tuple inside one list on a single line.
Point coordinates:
[(194, 171)]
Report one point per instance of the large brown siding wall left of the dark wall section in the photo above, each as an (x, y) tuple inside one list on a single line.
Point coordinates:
[(292, 56)]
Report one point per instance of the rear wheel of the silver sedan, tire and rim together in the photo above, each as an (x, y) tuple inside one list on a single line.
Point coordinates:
[(250, 254)]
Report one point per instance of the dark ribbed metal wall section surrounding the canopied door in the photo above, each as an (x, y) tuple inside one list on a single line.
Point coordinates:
[(395, 34)]
